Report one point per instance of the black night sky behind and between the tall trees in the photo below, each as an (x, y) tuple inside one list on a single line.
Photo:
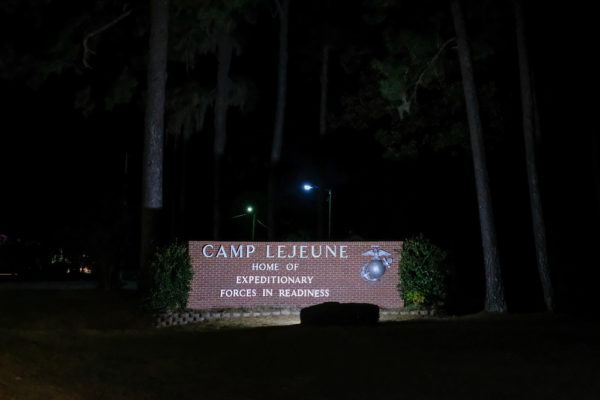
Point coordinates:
[(69, 171)]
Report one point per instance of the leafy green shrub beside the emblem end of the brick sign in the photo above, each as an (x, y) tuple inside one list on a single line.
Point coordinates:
[(423, 272)]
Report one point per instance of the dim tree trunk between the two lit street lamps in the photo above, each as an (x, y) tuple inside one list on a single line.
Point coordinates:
[(279, 114)]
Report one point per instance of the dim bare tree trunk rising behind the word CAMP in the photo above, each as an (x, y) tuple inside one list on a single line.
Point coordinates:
[(224, 54)]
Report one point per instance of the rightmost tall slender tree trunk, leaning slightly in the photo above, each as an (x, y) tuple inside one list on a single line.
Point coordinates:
[(539, 228)]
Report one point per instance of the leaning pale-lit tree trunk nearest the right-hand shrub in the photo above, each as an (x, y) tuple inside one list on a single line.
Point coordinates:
[(494, 294)]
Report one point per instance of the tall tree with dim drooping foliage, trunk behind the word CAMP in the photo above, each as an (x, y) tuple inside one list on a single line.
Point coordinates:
[(203, 30)]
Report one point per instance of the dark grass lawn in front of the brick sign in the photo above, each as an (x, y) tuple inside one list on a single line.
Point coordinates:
[(97, 345)]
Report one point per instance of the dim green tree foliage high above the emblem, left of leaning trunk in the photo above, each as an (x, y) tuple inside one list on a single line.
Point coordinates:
[(421, 96)]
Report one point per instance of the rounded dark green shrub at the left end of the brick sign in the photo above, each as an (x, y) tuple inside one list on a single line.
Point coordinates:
[(169, 278)]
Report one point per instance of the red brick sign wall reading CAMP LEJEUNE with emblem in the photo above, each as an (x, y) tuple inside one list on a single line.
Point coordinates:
[(253, 274)]
